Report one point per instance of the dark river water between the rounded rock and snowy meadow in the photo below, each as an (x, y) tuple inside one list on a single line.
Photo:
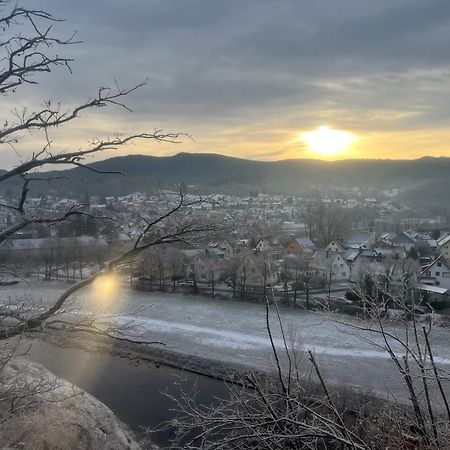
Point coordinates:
[(135, 392)]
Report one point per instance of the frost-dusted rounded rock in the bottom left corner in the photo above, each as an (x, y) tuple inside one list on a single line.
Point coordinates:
[(55, 414)]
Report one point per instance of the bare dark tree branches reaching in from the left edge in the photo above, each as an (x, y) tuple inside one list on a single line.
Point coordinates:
[(24, 56)]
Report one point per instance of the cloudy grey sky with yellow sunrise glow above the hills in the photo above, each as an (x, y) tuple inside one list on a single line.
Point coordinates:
[(250, 78)]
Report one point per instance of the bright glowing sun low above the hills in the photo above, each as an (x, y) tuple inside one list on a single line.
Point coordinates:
[(328, 142)]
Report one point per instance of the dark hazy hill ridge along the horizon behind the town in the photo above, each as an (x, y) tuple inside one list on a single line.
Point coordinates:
[(219, 173)]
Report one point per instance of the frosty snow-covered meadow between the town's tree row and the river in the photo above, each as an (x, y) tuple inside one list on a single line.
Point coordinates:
[(234, 331)]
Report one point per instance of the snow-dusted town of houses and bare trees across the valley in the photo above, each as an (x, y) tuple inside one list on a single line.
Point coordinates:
[(300, 250)]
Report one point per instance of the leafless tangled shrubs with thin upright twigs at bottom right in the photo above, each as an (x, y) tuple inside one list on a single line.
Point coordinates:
[(295, 408)]
